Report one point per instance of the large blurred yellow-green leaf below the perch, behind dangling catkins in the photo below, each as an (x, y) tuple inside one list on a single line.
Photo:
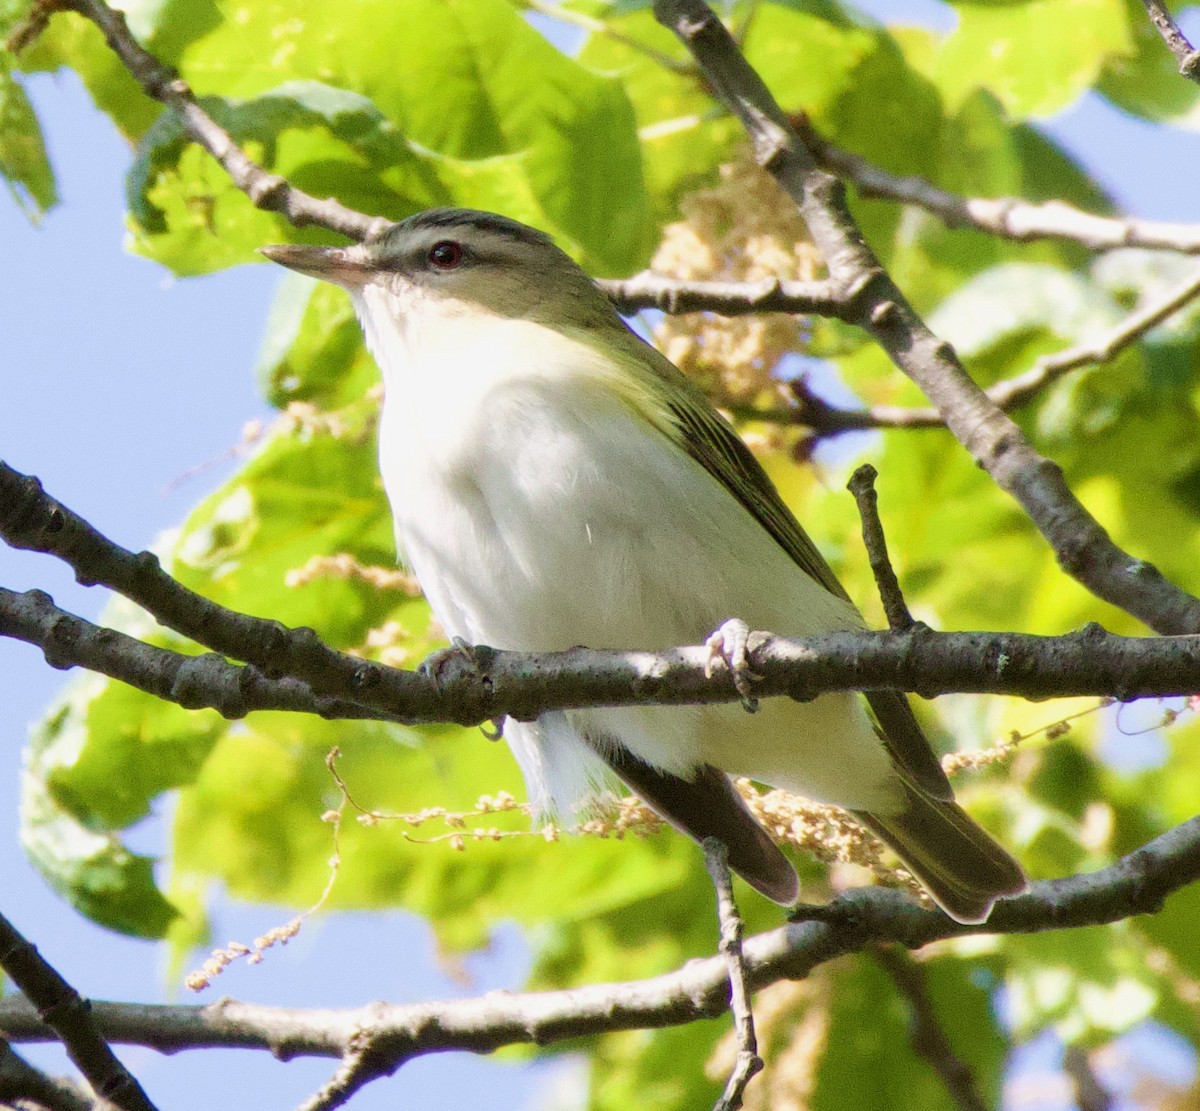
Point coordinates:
[(253, 820)]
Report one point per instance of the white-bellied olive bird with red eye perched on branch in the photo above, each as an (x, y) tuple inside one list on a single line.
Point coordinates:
[(556, 482)]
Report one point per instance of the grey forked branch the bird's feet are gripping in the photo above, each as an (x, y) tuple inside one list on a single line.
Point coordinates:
[(293, 670)]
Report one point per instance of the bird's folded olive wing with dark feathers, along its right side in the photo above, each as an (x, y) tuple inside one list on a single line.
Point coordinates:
[(712, 442)]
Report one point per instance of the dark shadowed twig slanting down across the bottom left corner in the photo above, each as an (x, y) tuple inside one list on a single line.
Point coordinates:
[(61, 1007)]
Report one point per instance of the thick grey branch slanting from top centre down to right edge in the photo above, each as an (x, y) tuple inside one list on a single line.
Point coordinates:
[(1083, 548)]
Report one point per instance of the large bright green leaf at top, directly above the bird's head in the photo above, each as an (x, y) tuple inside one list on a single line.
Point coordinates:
[(502, 92)]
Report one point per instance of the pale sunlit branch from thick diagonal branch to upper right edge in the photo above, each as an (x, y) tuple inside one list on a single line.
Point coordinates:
[(1009, 218)]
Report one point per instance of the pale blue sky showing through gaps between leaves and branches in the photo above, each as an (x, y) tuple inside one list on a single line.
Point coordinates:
[(117, 382)]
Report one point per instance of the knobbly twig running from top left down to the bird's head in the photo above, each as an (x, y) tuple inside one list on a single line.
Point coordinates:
[(266, 190)]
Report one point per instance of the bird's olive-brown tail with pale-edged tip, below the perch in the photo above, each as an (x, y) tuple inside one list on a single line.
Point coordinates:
[(956, 860)]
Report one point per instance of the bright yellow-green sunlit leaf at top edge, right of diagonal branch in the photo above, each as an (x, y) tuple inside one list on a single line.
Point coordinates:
[(1036, 57)]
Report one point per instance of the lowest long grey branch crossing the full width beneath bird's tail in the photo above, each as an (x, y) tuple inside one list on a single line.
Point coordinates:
[(1136, 885)]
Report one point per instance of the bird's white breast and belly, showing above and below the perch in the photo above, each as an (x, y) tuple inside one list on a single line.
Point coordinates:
[(539, 512)]
